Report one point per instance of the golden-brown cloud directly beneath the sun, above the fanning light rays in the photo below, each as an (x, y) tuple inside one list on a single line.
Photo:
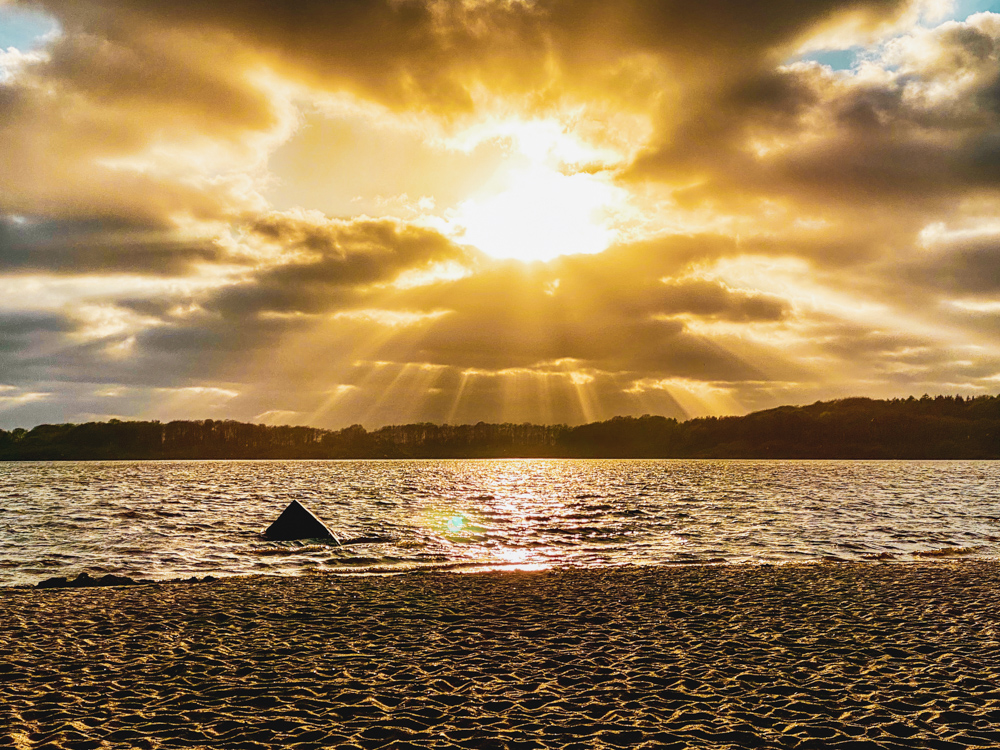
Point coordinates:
[(599, 315)]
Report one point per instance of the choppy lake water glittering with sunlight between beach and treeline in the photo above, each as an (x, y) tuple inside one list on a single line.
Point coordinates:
[(164, 520)]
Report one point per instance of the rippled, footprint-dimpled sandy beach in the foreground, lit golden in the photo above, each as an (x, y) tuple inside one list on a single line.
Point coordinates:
[(849, 656)]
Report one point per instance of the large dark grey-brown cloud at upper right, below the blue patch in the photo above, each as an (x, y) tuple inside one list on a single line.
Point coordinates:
[(921, 137)]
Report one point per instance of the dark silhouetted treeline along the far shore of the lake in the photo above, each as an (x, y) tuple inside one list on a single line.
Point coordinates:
[(941, 427)]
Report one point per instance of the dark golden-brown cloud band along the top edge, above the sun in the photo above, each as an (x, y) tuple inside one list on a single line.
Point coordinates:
[(433, 51)]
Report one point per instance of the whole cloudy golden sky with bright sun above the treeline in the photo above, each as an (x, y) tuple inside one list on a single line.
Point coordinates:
[(554, 211)]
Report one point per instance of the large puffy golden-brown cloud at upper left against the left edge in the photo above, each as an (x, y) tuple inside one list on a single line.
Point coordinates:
[(137, 126)]
